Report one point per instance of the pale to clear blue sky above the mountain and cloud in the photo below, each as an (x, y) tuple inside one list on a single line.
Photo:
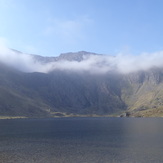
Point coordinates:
[(51, 27)]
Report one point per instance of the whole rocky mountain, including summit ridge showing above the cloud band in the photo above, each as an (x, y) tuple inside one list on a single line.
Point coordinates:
[(79, 93)]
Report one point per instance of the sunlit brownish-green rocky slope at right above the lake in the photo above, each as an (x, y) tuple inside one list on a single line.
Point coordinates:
[(143, 92)]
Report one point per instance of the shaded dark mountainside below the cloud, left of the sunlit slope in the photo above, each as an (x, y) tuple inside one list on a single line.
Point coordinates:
[(39, 94)]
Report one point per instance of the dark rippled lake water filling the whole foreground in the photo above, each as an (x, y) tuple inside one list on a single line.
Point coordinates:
[(82, 140)]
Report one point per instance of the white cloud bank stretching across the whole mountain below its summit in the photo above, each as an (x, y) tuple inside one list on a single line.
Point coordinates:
[(93, 63)]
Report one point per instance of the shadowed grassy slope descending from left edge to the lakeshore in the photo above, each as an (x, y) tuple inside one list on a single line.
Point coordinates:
[(16, 104)]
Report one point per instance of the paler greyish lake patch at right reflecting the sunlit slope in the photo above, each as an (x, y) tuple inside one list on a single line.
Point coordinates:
[(143, 140)]
